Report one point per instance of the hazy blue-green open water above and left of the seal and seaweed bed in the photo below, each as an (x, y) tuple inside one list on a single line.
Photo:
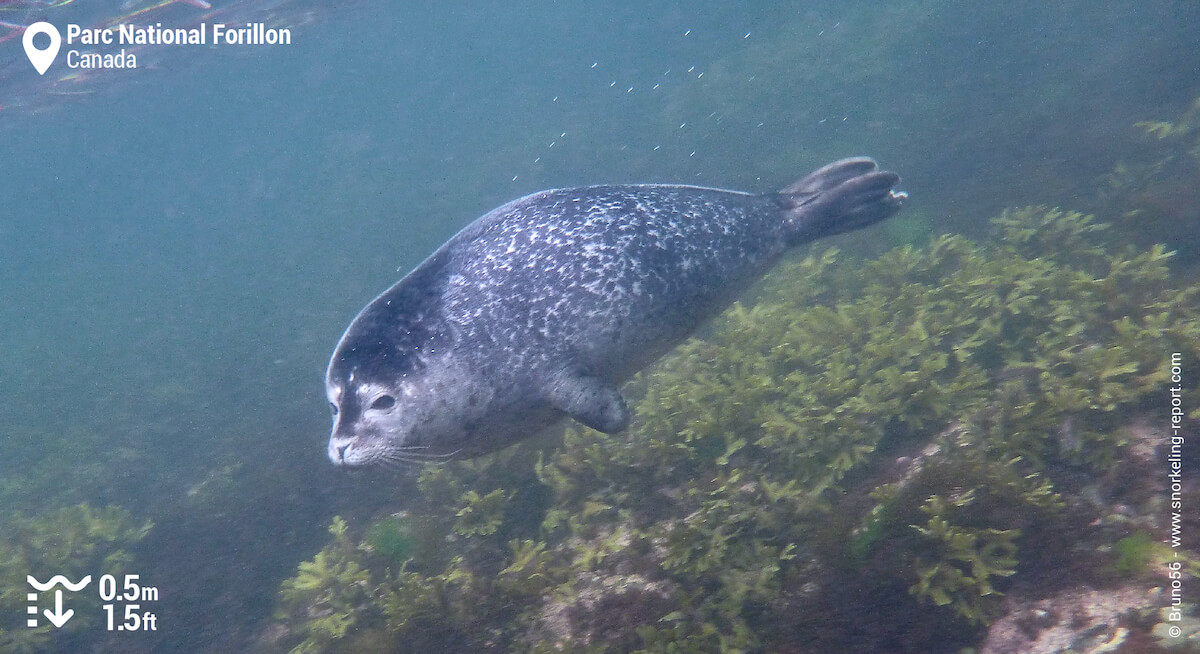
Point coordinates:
[(183, 244)]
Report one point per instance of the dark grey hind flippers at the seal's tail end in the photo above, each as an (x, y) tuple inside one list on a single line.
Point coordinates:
[(842, 197)]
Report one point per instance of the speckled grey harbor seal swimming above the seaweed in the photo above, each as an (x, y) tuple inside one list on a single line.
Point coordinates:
[(542, 308)]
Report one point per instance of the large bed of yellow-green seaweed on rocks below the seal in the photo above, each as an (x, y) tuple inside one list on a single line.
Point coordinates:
[(754, 485)]
